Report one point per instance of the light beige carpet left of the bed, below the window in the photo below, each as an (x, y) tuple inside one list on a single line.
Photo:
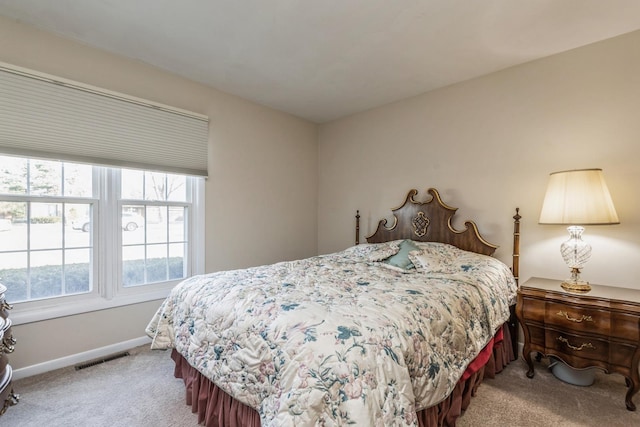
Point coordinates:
[(138, 390)]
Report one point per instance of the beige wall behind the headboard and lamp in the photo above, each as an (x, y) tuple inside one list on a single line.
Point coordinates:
[(488, 145)]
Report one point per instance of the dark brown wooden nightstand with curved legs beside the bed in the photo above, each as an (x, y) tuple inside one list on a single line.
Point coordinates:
[(600, 328)]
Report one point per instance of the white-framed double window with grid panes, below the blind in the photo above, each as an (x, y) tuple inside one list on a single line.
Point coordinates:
[(76, 237)]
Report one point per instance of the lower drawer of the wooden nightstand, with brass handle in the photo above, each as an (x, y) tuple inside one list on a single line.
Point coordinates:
[(577, 345)]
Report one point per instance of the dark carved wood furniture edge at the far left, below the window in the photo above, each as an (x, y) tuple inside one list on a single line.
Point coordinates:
[(7, 343)]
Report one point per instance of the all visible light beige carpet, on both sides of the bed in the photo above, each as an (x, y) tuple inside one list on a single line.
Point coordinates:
[(140, 391)]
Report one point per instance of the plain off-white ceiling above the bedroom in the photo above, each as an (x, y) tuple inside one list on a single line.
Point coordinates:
[(325, 59)]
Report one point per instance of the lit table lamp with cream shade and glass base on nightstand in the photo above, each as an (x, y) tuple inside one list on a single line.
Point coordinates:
[(576, 198)]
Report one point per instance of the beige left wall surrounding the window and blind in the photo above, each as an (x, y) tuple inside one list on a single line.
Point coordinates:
[(261, 200)]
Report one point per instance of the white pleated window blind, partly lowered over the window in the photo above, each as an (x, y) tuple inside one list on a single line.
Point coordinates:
[(51, 117)]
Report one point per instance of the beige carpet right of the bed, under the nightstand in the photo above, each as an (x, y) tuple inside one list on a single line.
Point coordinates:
[(512, 399)]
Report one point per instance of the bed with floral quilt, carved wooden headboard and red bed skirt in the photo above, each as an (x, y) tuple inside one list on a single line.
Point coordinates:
[(400, 330)]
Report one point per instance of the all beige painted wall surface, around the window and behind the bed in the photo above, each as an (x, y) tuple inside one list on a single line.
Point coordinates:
[(487, 144)]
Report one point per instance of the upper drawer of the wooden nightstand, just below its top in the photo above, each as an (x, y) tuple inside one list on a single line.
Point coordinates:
[(578, 319)]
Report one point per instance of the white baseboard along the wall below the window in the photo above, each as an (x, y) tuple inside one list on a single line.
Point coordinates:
[(74, 359)]
